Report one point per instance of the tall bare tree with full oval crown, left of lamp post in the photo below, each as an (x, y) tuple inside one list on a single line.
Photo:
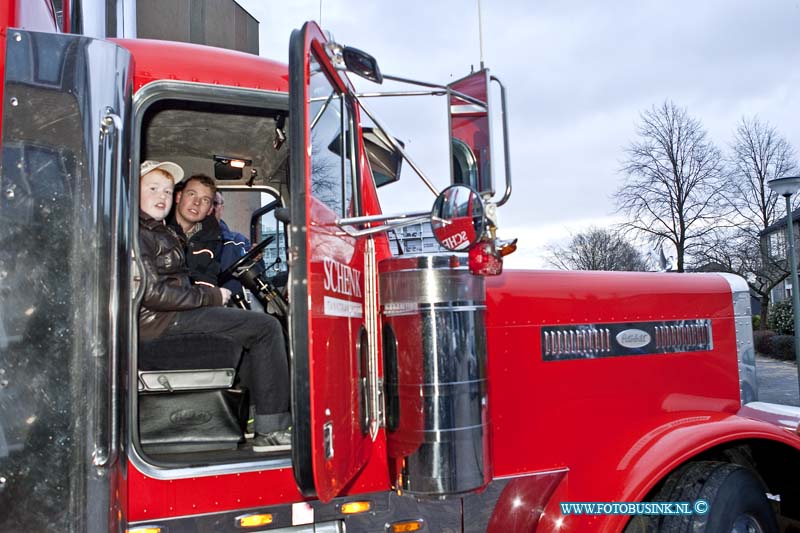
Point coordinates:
[(674, 179)]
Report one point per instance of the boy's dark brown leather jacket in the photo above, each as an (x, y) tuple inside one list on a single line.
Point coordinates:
[(168, 289)]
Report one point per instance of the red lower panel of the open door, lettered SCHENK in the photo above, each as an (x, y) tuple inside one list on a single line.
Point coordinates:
[(333, 340)]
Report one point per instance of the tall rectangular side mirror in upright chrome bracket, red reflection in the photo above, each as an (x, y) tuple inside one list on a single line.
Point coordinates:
[(470, 132)]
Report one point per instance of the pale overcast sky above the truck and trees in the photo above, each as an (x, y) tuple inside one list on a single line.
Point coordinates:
[(577, 75)]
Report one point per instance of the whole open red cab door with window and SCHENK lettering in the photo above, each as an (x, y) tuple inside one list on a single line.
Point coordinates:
[(327, 281)]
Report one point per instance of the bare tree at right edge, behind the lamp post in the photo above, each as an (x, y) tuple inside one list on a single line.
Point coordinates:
[(758, 154)]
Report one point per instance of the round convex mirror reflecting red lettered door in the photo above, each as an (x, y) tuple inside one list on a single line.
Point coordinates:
[(457, 218)]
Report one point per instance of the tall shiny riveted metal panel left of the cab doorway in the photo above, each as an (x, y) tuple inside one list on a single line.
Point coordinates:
[(64, 255)]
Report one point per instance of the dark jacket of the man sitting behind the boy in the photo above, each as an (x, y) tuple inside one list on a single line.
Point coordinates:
[(203, 250)]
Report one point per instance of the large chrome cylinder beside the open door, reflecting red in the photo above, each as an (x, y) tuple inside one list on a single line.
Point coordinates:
[(434, 339)]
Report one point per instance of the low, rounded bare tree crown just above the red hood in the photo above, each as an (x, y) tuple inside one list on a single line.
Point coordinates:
[(596, 249)]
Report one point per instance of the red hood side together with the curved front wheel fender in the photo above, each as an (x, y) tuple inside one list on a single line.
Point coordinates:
[(617, 423)]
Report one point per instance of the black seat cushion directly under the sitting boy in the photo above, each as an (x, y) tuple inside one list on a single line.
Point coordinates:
[(188, 352)]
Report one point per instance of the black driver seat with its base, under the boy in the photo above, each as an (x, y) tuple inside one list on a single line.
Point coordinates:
[(187, 402)]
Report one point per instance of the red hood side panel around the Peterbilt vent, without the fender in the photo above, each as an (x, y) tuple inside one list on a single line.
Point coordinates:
[(552, 409)]
